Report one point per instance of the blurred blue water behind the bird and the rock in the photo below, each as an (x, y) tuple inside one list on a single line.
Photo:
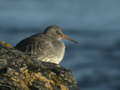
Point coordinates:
[(95, 62)]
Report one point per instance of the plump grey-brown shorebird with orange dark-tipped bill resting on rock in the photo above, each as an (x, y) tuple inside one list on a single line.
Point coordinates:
[(46, 46)]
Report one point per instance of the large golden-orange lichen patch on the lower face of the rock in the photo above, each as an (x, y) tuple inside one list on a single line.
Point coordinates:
[(26, 78)]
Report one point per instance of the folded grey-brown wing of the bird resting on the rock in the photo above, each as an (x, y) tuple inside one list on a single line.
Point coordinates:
[(37, 47)]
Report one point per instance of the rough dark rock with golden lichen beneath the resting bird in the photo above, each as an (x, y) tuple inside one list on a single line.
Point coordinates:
[(20, 72)]
